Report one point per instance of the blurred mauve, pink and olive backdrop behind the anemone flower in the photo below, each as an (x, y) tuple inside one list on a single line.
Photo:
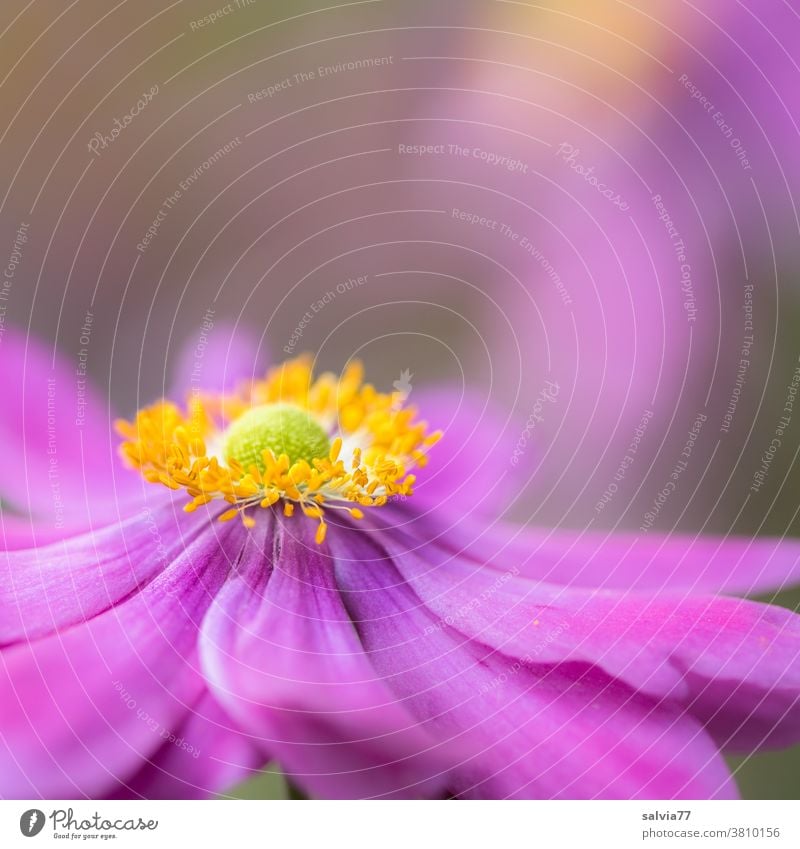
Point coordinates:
[(508, 196)]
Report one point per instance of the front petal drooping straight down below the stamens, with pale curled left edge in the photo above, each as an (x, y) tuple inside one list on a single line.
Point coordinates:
[(282, 656)]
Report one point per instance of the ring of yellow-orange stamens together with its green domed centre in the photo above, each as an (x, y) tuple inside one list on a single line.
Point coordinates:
[(236, 448)]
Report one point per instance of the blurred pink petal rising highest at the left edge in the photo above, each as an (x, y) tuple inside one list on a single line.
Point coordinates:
[(60, 459)]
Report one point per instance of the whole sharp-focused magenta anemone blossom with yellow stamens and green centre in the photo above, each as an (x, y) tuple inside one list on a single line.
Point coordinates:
[(374, 640)]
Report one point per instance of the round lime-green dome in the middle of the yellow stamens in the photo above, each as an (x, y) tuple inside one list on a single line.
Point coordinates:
[(283, 428)]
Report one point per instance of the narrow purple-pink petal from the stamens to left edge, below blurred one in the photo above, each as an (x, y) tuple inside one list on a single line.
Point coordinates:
[(47, 588)]
